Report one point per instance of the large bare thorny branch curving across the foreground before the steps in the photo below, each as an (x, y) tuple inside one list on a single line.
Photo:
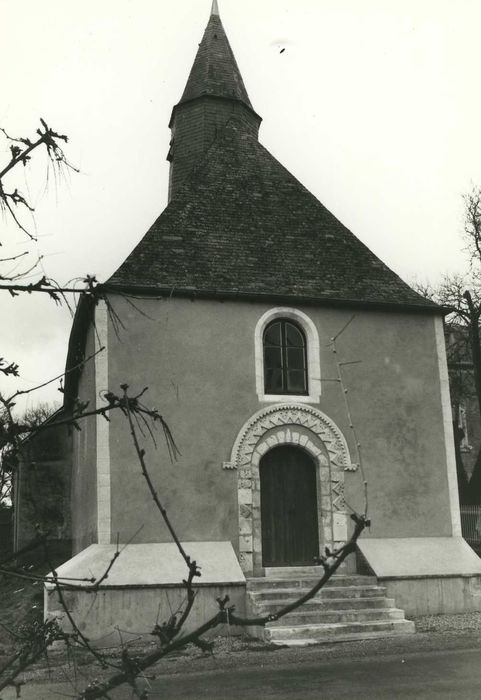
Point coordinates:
[(168, 634)]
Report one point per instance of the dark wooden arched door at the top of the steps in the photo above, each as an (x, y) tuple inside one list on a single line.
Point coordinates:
[(288, 507)]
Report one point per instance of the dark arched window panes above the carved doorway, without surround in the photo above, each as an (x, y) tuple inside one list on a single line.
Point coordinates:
[(285, 358)]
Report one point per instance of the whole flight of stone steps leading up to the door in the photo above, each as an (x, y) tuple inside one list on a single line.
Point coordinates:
[(347, 608)]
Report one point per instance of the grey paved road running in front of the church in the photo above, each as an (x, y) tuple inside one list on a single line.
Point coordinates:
[(435, 675)]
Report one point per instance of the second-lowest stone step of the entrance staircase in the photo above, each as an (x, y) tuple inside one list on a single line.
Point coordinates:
[(320, 617)]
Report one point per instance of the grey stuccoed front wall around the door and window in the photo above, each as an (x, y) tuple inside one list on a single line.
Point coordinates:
[(197, 358)]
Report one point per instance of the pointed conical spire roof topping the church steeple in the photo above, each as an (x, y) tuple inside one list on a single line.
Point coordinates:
[(215, 71)]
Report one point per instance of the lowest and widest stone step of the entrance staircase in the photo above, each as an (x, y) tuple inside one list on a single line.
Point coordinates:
[(298, 635)]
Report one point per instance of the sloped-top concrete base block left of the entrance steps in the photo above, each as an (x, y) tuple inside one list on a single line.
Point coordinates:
[(144, 588)]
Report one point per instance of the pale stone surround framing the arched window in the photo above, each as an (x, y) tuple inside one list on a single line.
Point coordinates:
[(313, 354)]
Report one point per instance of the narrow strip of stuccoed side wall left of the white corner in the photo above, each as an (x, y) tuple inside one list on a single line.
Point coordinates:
[(84, 479)]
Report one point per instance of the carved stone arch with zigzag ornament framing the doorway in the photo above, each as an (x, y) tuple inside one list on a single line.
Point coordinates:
[(317, 434)]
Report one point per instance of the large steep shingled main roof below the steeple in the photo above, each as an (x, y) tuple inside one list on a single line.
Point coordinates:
[(242, 224)]
